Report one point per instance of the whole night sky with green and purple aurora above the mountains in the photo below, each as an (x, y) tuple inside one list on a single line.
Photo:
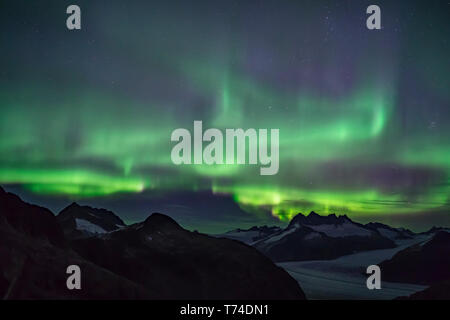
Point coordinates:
[(363, 114)]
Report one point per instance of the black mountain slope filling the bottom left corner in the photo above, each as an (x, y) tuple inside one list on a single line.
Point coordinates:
[(34, 256)]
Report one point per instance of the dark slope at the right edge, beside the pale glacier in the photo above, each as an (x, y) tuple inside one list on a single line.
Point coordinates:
[(425, 263)]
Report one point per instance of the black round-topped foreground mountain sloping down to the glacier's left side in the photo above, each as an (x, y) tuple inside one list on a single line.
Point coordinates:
[(178, 263)]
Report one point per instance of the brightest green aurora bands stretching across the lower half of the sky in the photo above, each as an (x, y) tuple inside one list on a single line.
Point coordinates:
[(130, 144)]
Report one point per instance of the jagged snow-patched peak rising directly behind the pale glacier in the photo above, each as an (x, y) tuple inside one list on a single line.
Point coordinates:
[(316, 237)]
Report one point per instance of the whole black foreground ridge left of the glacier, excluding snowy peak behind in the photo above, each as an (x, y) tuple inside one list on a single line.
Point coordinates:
[(155, 259)]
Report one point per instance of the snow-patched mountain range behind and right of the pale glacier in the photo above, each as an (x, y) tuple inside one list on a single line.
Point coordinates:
[(314, 237)]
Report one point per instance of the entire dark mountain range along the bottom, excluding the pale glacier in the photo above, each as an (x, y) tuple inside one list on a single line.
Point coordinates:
[(158, 259)]
